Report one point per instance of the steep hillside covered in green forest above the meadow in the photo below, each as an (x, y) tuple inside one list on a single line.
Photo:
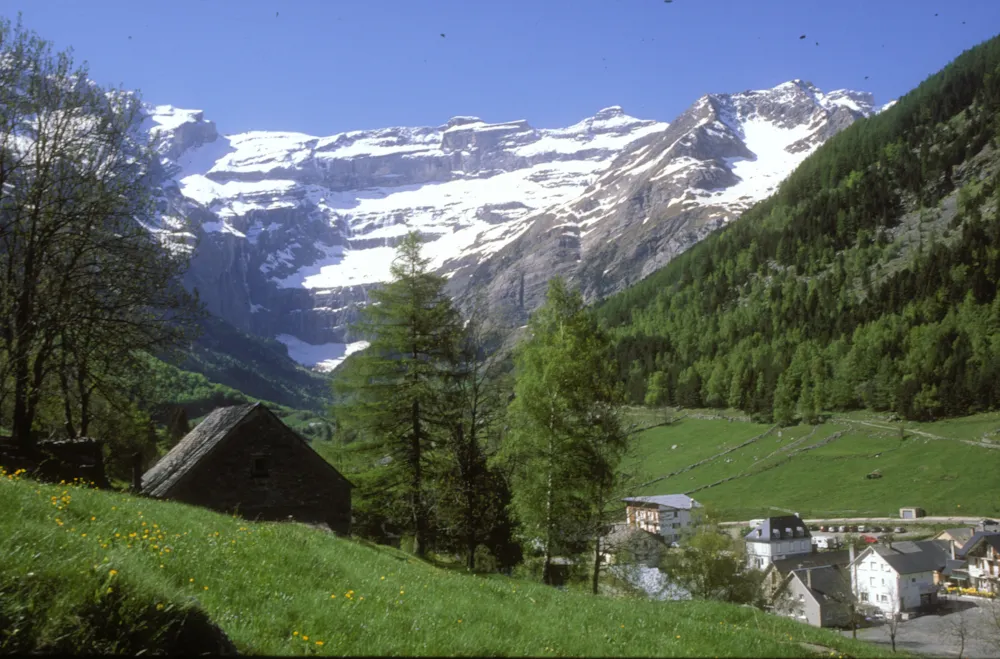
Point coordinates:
[(868, 281)]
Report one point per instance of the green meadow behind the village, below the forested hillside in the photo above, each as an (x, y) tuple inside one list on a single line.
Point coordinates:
[(945, 476)]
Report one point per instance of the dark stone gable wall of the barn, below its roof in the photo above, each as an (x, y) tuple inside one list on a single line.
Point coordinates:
[(299, 484)]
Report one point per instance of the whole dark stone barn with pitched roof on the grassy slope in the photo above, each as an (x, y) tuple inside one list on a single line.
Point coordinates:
[(244, 460)]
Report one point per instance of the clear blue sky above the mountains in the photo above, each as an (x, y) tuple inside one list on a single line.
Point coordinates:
[(325, 66)]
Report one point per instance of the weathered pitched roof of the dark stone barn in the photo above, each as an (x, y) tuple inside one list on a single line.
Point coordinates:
[(200, 442)]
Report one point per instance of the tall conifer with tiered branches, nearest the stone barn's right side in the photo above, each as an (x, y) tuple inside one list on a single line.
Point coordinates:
[(397, 394)]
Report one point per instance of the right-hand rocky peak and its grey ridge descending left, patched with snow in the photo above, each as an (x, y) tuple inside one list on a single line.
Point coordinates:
[(663, 194)]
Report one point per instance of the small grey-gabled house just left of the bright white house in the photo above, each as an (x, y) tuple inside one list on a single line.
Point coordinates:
[(819, 596)]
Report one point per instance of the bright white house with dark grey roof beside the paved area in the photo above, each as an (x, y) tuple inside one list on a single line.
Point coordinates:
[(902, 577)]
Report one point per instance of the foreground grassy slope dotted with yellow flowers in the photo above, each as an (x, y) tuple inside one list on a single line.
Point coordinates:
[(269, 586)]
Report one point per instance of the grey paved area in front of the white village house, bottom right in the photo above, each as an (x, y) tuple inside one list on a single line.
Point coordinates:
[(938, 634)]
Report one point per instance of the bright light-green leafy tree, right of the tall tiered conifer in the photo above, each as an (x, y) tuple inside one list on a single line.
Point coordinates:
[(565, 438)]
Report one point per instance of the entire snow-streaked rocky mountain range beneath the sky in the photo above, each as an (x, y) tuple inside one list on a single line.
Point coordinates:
[(292, 229)]
